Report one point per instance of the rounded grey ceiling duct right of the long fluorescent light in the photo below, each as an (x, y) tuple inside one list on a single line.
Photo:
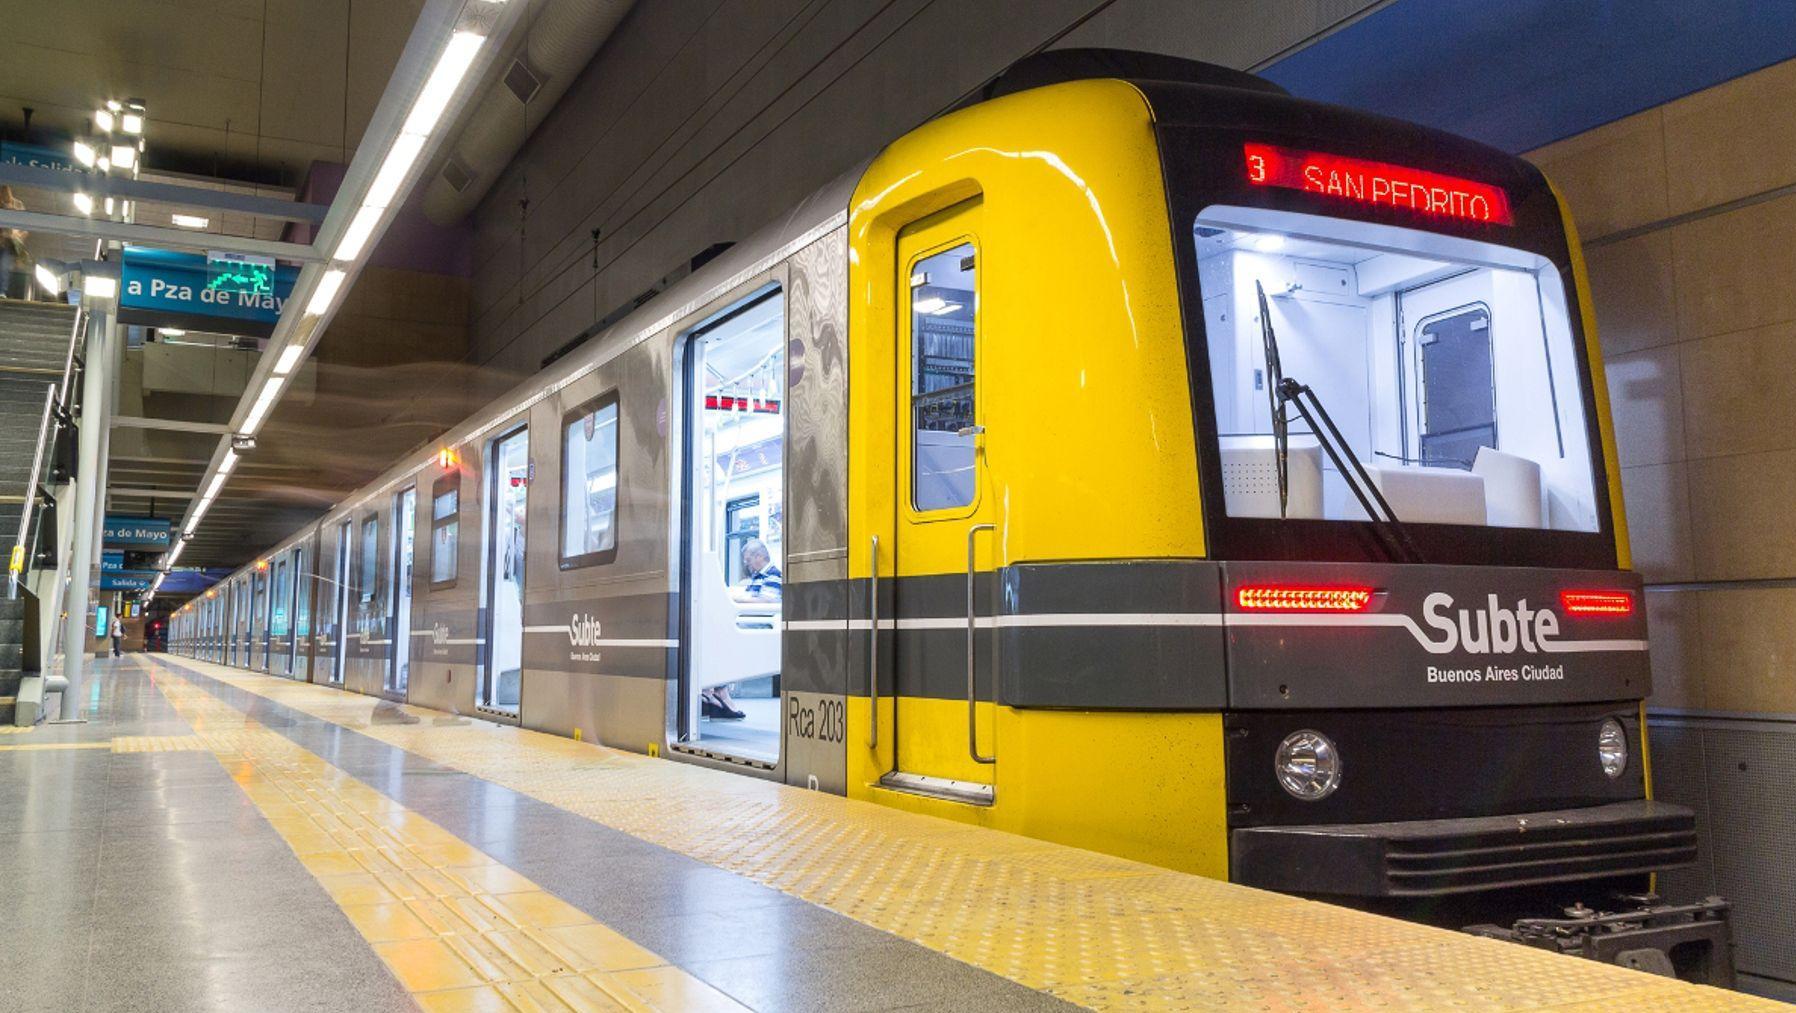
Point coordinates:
[(559, 42)]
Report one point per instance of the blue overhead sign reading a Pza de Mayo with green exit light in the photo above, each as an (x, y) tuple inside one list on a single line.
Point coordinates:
[(236, 295)]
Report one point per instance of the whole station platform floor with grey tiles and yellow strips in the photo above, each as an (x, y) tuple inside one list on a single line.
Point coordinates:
[(216, 840)]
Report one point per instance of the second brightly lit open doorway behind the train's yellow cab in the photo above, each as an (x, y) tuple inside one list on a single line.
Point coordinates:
[(502, 680)]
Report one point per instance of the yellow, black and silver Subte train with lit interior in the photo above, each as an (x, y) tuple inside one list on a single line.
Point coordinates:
[(1134, 457)]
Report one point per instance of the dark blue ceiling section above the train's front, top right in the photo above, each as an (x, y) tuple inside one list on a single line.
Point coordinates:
[(1526, 73)]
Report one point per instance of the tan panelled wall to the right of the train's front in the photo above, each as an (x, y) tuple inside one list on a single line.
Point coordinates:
[(1689, 222)]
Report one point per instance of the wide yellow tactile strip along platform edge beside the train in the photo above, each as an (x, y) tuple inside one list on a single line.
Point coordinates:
[(1087, 928)]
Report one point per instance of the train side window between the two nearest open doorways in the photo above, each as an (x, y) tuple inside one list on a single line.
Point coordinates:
[(590, 484)]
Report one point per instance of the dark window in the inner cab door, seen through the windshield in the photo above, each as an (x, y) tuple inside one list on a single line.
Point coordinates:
[(1459, 387)]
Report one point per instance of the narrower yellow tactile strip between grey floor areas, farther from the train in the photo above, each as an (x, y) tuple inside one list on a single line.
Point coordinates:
[(459, 929)]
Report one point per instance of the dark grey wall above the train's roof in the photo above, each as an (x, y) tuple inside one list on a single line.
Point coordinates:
[(701, 121)]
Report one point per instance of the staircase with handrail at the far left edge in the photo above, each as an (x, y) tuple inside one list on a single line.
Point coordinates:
[(33, 353)]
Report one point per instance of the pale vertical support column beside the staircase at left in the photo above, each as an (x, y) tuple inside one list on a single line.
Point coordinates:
[(91, 491)]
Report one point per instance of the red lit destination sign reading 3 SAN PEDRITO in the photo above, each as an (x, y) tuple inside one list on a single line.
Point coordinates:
[(1377, 184)]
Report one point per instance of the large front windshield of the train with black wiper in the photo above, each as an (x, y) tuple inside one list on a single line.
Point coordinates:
[(1447, 366)]
